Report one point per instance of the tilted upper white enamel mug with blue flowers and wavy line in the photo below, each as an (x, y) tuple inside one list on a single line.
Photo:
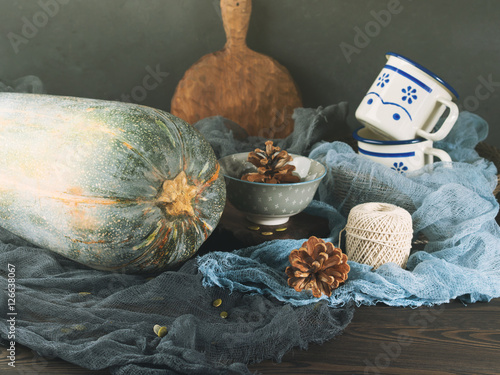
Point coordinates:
[(406, 101)]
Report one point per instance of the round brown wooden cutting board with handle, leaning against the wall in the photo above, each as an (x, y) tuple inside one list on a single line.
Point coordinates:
[(247, 87)]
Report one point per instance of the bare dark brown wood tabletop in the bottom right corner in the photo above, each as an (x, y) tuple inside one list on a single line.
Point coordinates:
[(448, 339)]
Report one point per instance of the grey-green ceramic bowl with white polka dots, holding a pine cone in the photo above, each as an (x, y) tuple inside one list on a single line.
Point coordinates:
[(270, 204)]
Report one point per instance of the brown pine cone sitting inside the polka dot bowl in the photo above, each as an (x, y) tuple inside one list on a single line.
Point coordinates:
[(272, 166)]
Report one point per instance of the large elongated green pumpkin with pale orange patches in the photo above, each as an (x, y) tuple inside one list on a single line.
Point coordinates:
[(111, 185)]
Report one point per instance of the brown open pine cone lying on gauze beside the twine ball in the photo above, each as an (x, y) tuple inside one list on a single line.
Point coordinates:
[(317, 266)]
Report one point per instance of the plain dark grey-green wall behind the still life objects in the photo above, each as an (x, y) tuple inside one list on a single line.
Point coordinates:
[(105, 48)]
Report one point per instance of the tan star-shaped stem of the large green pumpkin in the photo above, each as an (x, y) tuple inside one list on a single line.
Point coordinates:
[(175, 196)]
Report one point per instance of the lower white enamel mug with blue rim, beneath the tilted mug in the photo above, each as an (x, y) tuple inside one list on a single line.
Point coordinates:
[(401, 156)]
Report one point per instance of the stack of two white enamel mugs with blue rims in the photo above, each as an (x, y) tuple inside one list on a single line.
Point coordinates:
[(399, 114)]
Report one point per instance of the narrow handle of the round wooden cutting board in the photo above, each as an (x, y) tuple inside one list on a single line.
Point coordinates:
[(236, 17)]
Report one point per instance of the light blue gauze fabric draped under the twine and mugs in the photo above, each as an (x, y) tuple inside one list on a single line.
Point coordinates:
[(454, 208)]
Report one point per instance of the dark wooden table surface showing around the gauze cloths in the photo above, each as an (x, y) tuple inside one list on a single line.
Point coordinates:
[(447, 339)]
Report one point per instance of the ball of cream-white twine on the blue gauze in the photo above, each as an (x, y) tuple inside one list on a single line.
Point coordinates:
[(378, 233)]
